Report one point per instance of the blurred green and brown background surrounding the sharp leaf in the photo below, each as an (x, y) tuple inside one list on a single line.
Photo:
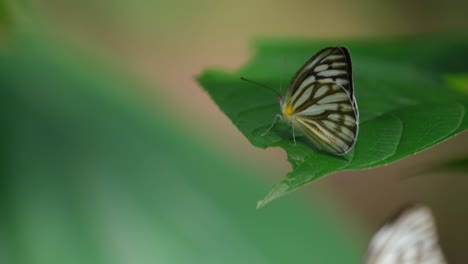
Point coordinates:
[(112, 153)]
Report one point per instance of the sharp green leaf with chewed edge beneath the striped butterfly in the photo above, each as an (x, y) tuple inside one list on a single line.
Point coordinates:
[(404, 103)]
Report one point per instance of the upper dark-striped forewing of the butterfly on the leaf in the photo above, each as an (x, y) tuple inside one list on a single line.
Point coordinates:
[(329, 64)]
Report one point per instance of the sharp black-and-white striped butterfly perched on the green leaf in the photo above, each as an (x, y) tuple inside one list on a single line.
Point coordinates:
[(320, 101)]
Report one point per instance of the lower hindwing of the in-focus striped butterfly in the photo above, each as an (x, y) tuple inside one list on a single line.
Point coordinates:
[(325, 113)]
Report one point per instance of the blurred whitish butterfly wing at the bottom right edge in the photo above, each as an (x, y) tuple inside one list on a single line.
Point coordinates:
[(410, 238)]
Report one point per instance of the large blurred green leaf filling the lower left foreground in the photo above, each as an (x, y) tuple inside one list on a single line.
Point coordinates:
[(92, 173)]
